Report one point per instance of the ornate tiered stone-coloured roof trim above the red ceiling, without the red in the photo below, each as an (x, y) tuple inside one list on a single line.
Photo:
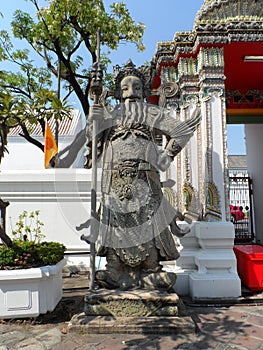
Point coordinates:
[(217, 22)]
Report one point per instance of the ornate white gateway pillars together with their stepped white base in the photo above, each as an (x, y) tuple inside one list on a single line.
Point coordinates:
[(207, 266)]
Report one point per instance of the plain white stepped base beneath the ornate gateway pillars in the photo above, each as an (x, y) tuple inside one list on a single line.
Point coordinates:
[(207, 267)]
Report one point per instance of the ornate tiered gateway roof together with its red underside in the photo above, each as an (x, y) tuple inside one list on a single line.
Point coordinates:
[(236, 27)]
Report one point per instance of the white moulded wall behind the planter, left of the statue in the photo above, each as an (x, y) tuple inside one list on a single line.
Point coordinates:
[(63, 198)]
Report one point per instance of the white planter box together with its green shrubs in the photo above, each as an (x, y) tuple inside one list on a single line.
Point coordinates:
[(30, 270)]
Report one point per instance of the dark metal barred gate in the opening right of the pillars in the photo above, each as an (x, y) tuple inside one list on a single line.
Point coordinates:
[(241, 208)]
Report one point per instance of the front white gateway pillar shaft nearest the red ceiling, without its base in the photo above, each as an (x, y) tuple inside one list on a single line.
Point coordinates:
[(214, 157)]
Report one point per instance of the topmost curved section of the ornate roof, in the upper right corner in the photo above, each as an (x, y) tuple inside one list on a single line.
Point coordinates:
[(243, 12)]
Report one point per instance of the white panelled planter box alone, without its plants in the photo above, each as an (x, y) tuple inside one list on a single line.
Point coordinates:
[(30, 292)]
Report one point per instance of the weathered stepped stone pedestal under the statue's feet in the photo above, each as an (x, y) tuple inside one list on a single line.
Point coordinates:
[(113, 311)]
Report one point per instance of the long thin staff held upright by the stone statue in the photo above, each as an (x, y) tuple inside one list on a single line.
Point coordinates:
[(96, 89)]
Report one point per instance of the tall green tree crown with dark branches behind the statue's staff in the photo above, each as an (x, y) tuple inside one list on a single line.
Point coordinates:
[(64, 35)]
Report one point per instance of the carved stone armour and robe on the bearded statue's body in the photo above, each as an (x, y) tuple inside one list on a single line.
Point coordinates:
[(135, 216)]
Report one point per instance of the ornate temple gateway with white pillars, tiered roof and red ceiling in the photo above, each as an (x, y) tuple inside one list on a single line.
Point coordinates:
[(218, 66)]
